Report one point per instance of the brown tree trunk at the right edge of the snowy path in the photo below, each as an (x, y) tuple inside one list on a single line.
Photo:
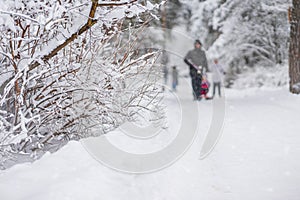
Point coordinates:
[(294, 51)]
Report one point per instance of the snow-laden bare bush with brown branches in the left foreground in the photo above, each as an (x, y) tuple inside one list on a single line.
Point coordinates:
[(68, 71)]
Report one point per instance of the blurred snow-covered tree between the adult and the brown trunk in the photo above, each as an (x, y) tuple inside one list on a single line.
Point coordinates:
[(242, 33)]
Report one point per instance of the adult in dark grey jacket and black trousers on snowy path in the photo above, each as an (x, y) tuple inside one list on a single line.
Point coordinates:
[(197, 61)]
